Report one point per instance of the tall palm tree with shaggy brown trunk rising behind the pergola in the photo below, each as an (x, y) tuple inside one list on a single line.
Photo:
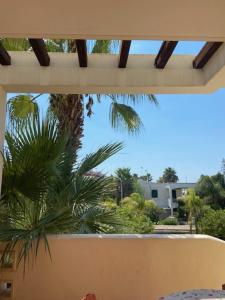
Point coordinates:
[(69, 109)]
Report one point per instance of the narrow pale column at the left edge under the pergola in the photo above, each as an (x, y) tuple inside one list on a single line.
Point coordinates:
[(2, 127)]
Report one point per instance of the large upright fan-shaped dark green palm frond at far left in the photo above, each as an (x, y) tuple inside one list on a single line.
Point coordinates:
[(31, 158)]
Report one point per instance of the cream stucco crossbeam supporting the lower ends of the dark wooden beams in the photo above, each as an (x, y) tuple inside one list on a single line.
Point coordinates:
[(64, 74)]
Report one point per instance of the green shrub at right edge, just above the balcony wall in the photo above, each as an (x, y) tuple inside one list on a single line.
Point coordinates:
[(213, 223)]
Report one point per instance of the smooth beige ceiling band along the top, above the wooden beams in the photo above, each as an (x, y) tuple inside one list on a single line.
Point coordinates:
[(118, 19)]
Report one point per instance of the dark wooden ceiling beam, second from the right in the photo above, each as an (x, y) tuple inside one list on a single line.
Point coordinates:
[(164, 54)]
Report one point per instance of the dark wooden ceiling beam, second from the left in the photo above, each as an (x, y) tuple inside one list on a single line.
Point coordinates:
[(40, 50)]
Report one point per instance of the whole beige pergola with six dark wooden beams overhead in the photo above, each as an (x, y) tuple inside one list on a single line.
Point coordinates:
[(125, 20)]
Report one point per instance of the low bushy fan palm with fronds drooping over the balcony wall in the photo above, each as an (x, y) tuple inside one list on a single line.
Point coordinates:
[(44, 192)]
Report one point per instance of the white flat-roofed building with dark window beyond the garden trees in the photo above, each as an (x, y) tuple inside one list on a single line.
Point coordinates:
[(165, 194)]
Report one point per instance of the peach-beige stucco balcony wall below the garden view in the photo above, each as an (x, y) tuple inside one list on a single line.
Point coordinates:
[(116, 268)]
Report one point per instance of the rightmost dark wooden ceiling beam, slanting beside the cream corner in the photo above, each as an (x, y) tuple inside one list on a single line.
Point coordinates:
[(205, 54)]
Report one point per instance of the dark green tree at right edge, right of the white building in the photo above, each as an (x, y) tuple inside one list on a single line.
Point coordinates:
[(212, 190)]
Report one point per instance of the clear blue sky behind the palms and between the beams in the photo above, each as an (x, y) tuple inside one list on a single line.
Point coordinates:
[(185, 132)]
